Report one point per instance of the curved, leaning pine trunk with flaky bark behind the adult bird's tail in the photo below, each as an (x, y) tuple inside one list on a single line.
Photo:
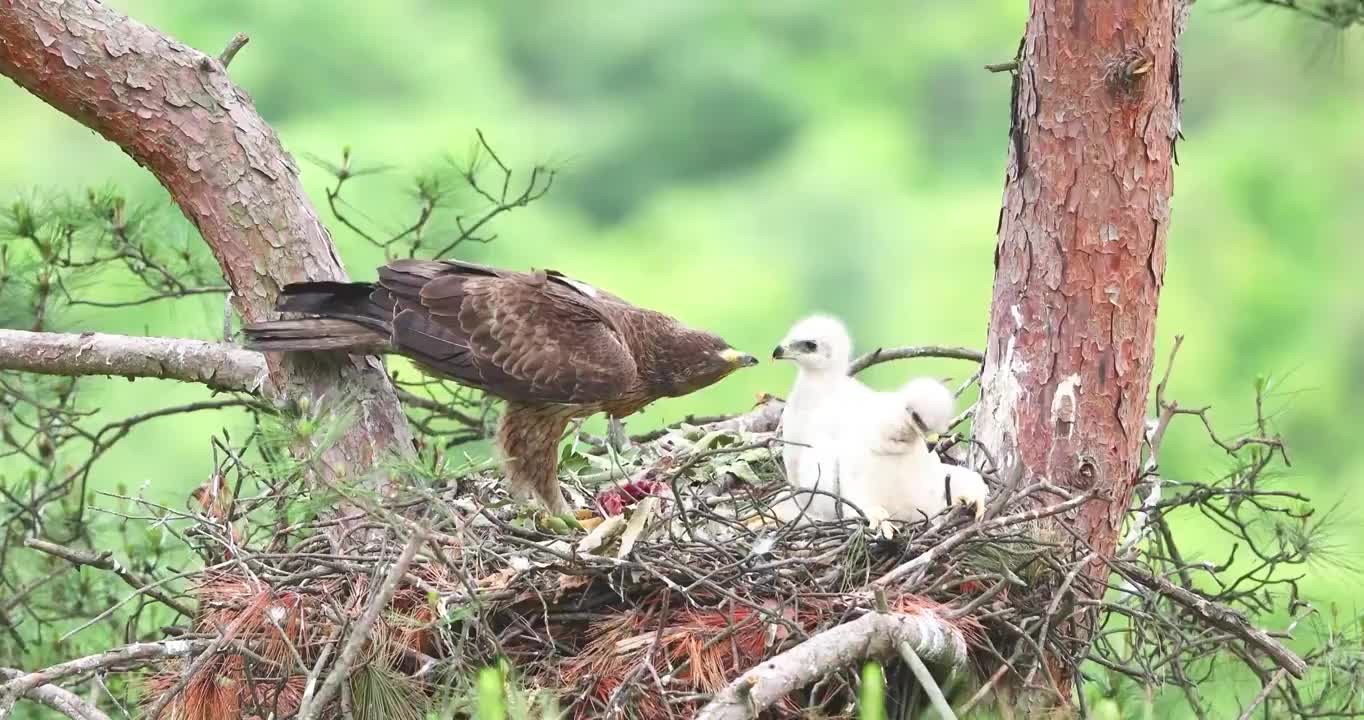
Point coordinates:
[(175, 111)]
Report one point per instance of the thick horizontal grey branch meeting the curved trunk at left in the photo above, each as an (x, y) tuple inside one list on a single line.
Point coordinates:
[(215, 365)]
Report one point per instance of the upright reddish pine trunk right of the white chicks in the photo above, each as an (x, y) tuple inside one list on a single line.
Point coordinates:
[(1081, 254)]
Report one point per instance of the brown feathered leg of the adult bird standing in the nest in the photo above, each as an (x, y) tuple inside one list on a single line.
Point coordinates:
[(529, 440)]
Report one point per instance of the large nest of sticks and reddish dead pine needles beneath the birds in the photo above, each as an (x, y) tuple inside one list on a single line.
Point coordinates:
[(685, 586)]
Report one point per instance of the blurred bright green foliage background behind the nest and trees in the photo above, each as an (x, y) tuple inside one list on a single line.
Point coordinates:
[(741, 166)]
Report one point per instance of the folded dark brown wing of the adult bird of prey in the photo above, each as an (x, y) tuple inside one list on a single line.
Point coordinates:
[(520, 336)]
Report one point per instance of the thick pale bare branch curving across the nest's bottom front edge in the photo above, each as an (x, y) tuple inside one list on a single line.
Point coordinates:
[(871, 636)]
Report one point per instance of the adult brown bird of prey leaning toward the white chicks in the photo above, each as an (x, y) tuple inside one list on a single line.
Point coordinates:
[(552, 347)]
